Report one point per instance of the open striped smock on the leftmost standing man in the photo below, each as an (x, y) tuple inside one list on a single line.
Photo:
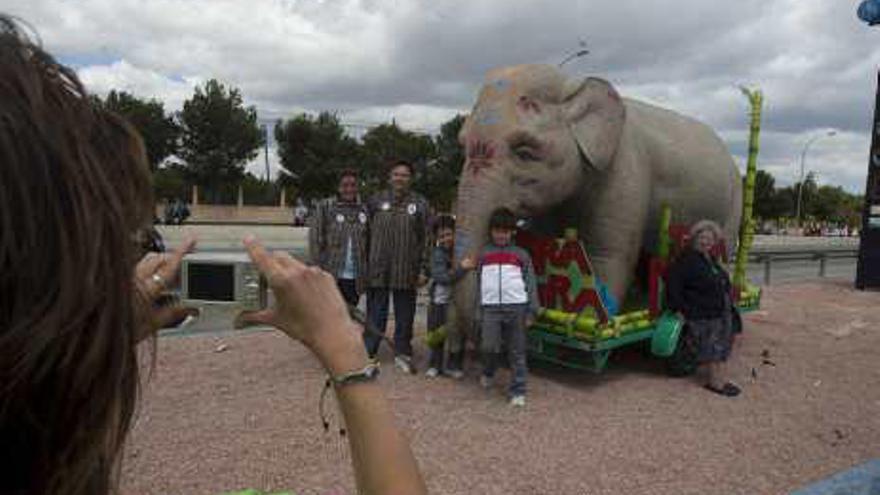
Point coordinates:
[(334, 227)]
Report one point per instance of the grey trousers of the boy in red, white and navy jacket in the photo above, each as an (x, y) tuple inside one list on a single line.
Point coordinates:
[(505, 324)]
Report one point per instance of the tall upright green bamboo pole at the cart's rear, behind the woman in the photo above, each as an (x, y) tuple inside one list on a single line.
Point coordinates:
[(747, 224)]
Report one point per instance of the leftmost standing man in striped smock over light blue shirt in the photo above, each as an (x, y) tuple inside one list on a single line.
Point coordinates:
[(338, 238)]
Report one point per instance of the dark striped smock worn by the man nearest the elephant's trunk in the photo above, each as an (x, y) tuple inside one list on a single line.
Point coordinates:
[(398, 240)]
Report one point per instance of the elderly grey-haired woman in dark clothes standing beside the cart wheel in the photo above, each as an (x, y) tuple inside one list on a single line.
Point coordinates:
[(698, 289)]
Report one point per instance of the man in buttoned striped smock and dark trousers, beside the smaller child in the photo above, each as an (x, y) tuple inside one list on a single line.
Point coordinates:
[(397, 263)]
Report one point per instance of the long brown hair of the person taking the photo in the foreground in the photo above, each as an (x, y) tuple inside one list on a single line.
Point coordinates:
[(74, 188)]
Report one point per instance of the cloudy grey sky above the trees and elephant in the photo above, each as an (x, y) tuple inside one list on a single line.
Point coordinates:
[(421, 61)]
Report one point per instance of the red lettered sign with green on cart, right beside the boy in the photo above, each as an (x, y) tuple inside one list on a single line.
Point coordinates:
[(565, 276)]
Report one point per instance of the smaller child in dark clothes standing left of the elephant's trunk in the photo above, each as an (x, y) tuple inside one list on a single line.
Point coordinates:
[(443, 276)]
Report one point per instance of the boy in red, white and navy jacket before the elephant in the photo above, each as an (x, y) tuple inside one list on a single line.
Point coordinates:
[(508, 302)]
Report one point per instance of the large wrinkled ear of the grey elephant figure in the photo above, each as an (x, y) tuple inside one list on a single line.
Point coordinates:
[(595, 117)]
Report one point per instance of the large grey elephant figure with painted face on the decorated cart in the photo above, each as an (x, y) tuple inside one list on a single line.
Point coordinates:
[(570, 152)]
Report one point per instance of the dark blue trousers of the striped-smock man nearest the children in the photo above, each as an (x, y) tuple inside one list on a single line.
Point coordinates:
[(404, 315)]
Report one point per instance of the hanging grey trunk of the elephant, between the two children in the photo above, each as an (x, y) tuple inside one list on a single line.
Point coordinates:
[(479, 194)]
